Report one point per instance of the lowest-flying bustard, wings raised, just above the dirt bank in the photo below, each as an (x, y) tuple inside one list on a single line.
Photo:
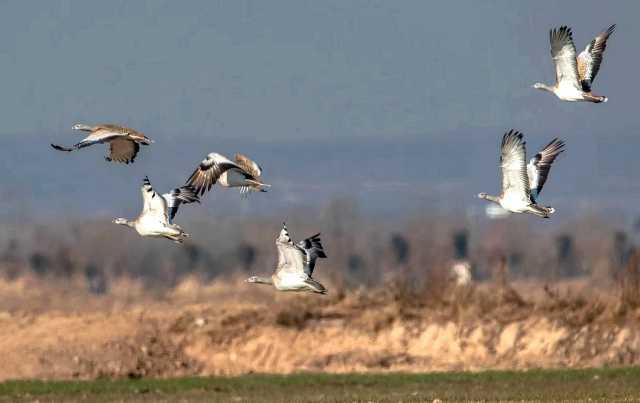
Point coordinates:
[(295, 264)]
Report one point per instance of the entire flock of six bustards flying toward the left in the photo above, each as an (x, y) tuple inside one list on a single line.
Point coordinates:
[(522, 182)]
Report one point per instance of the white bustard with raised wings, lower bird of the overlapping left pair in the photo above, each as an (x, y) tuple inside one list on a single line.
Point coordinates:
[(158, 211)]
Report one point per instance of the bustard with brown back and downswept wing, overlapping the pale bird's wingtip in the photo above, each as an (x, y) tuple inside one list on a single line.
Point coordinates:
[(216, 168)]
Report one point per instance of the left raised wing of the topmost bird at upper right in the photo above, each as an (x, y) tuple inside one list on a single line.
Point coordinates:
[(563, 52)]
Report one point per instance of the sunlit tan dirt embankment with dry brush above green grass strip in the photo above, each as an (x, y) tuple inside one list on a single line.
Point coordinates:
[(361, 331)]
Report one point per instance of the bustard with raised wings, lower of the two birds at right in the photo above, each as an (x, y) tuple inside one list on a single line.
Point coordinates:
[(522, 182)]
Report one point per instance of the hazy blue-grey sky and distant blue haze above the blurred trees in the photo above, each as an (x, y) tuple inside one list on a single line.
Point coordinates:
[(410, 96)]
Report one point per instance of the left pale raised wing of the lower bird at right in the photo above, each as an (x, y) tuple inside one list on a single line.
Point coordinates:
[(515, 183)]
